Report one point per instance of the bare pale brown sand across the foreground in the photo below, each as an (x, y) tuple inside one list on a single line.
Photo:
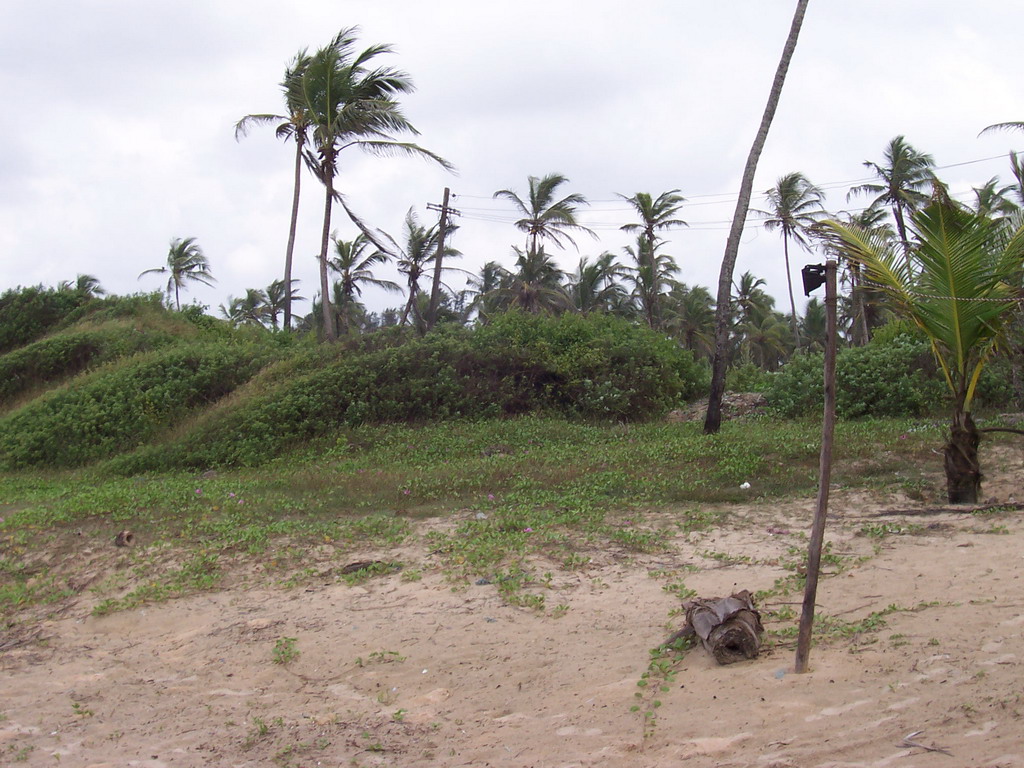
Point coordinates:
[(477, 682)]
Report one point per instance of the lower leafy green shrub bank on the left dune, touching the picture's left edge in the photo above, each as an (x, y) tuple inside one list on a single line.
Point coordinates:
[(124, 406)]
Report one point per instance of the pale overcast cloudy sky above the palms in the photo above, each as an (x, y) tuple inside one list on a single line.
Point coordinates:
[(118, 122)]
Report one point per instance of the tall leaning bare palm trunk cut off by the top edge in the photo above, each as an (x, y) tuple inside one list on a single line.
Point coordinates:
[(713, 421)]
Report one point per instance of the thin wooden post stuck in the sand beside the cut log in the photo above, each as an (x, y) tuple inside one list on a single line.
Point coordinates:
[(825, 474)]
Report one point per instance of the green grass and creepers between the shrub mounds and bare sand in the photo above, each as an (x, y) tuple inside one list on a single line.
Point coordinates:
[(522, 488)]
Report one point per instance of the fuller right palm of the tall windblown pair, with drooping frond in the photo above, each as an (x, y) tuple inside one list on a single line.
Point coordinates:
[(353, 104)]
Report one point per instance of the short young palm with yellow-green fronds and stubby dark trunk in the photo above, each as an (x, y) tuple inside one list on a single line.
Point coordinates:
[(961, 290)]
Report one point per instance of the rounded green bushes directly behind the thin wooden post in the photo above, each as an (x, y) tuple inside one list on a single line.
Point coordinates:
[(898, 378)]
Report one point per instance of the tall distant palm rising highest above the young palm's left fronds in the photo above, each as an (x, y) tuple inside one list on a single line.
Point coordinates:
[(906, 175)]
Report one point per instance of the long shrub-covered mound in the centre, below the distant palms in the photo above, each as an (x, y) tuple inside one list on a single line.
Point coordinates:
[(586, 367)]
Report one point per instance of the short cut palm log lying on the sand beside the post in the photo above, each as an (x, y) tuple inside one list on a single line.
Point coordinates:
[(730, 628)]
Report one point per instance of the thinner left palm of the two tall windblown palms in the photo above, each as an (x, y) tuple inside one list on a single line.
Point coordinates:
[(295, 126)]
